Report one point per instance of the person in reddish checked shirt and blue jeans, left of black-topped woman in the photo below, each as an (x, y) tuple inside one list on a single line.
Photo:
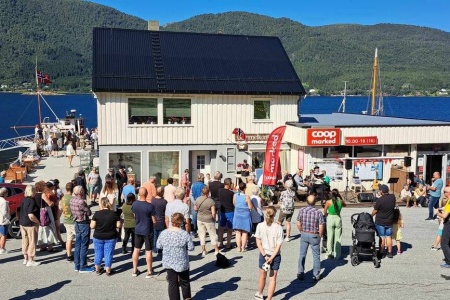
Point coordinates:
[(81, 212)]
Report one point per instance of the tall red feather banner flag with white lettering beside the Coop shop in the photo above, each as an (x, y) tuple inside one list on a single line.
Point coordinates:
[(271, 159)]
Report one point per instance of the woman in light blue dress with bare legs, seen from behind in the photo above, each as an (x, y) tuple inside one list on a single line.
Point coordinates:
[(242, 220)]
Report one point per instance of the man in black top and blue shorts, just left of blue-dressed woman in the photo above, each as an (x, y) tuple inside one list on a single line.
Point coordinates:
[(226, 196)]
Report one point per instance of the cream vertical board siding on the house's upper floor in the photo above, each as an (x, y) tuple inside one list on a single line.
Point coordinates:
[(213, 118)]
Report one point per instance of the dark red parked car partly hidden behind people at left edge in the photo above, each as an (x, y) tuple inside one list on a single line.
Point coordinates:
[(15, 196)]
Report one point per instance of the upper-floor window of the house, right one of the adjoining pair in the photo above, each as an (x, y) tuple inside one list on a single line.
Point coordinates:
[(177, 111)]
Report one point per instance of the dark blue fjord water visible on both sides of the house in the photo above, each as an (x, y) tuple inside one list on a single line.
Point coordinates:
[(19, 110)]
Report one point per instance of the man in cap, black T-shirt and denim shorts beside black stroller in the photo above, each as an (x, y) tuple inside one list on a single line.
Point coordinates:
[(384, 219)]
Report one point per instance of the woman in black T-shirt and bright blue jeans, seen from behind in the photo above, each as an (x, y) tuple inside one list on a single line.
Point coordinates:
[(106, 226)]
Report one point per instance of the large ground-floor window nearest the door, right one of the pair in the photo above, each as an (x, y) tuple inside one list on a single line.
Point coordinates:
[(163, 165)]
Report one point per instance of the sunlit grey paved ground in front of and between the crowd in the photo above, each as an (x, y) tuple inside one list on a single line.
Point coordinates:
[(413, 275)]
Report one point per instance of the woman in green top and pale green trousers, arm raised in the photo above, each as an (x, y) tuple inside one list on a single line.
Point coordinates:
[(332, 211)]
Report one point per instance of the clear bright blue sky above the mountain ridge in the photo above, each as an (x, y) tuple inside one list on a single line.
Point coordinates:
[(429, 13)]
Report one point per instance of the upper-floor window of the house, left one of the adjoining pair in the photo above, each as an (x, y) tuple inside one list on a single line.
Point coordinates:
[(142, 111)]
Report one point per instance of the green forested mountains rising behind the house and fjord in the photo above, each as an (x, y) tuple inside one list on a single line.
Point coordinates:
[(59, 34)]
